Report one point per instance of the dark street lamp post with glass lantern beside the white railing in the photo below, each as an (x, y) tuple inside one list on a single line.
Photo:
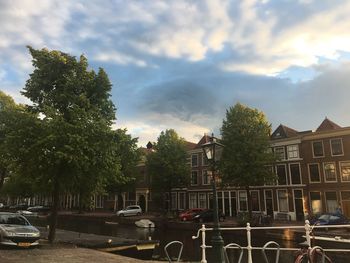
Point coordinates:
[(212, 151)]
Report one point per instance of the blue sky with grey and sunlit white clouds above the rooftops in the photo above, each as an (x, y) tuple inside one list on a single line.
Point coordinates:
[(181, 64)]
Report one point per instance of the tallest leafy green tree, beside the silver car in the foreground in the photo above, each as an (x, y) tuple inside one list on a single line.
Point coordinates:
[(69, 146)]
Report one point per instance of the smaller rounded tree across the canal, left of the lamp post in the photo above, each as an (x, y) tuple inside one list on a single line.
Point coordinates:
[(167, 165)]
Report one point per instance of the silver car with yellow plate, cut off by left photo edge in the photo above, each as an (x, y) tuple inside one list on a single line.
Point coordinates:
[(15, 230)]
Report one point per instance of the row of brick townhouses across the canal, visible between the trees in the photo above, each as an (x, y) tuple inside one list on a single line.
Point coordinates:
[(313, 174)]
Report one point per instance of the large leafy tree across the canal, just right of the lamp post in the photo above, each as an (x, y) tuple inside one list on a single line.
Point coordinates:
[(246, 157)]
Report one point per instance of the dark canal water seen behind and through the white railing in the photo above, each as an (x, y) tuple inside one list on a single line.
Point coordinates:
[(191, 249)]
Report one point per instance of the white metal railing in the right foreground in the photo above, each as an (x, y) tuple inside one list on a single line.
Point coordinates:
[(308, 237)]
